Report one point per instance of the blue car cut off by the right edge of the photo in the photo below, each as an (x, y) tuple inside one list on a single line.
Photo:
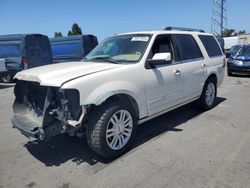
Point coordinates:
[(239, 63)]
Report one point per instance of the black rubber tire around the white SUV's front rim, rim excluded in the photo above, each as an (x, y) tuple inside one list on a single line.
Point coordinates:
[(97, 126)]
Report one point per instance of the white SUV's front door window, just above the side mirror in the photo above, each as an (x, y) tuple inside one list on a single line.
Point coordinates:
[(161, 44)]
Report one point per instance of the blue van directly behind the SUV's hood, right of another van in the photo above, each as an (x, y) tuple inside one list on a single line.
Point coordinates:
[(72, 48)]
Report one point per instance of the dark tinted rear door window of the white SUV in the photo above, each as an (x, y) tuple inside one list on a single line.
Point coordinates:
[(186, 47)]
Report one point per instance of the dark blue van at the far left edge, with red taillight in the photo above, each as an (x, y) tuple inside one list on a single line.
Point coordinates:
[(24, 51)]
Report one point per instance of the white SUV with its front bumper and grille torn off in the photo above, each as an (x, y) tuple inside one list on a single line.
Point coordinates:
[(126, 80)]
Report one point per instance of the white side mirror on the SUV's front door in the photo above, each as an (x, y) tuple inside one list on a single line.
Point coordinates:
[(160, 59)]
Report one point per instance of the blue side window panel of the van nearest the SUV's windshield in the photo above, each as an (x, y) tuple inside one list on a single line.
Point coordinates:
[(66, 49)]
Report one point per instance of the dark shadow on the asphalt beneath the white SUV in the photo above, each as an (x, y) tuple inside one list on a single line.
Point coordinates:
[(63, 148)]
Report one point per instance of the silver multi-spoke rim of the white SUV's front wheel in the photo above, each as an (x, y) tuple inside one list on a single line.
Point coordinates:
[(119, 129)]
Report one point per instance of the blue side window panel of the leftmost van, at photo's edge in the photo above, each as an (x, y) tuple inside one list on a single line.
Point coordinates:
[(9, 50)]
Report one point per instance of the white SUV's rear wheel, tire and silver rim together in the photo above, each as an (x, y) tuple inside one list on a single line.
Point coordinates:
[(209, 94)]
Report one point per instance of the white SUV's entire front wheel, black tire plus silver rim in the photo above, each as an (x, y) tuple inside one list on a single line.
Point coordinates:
[(104, 136)]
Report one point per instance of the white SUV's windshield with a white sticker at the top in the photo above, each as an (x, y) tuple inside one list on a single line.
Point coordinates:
[(121, 48)]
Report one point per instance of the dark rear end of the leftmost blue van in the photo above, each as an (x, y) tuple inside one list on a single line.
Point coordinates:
[(38, 50)]
